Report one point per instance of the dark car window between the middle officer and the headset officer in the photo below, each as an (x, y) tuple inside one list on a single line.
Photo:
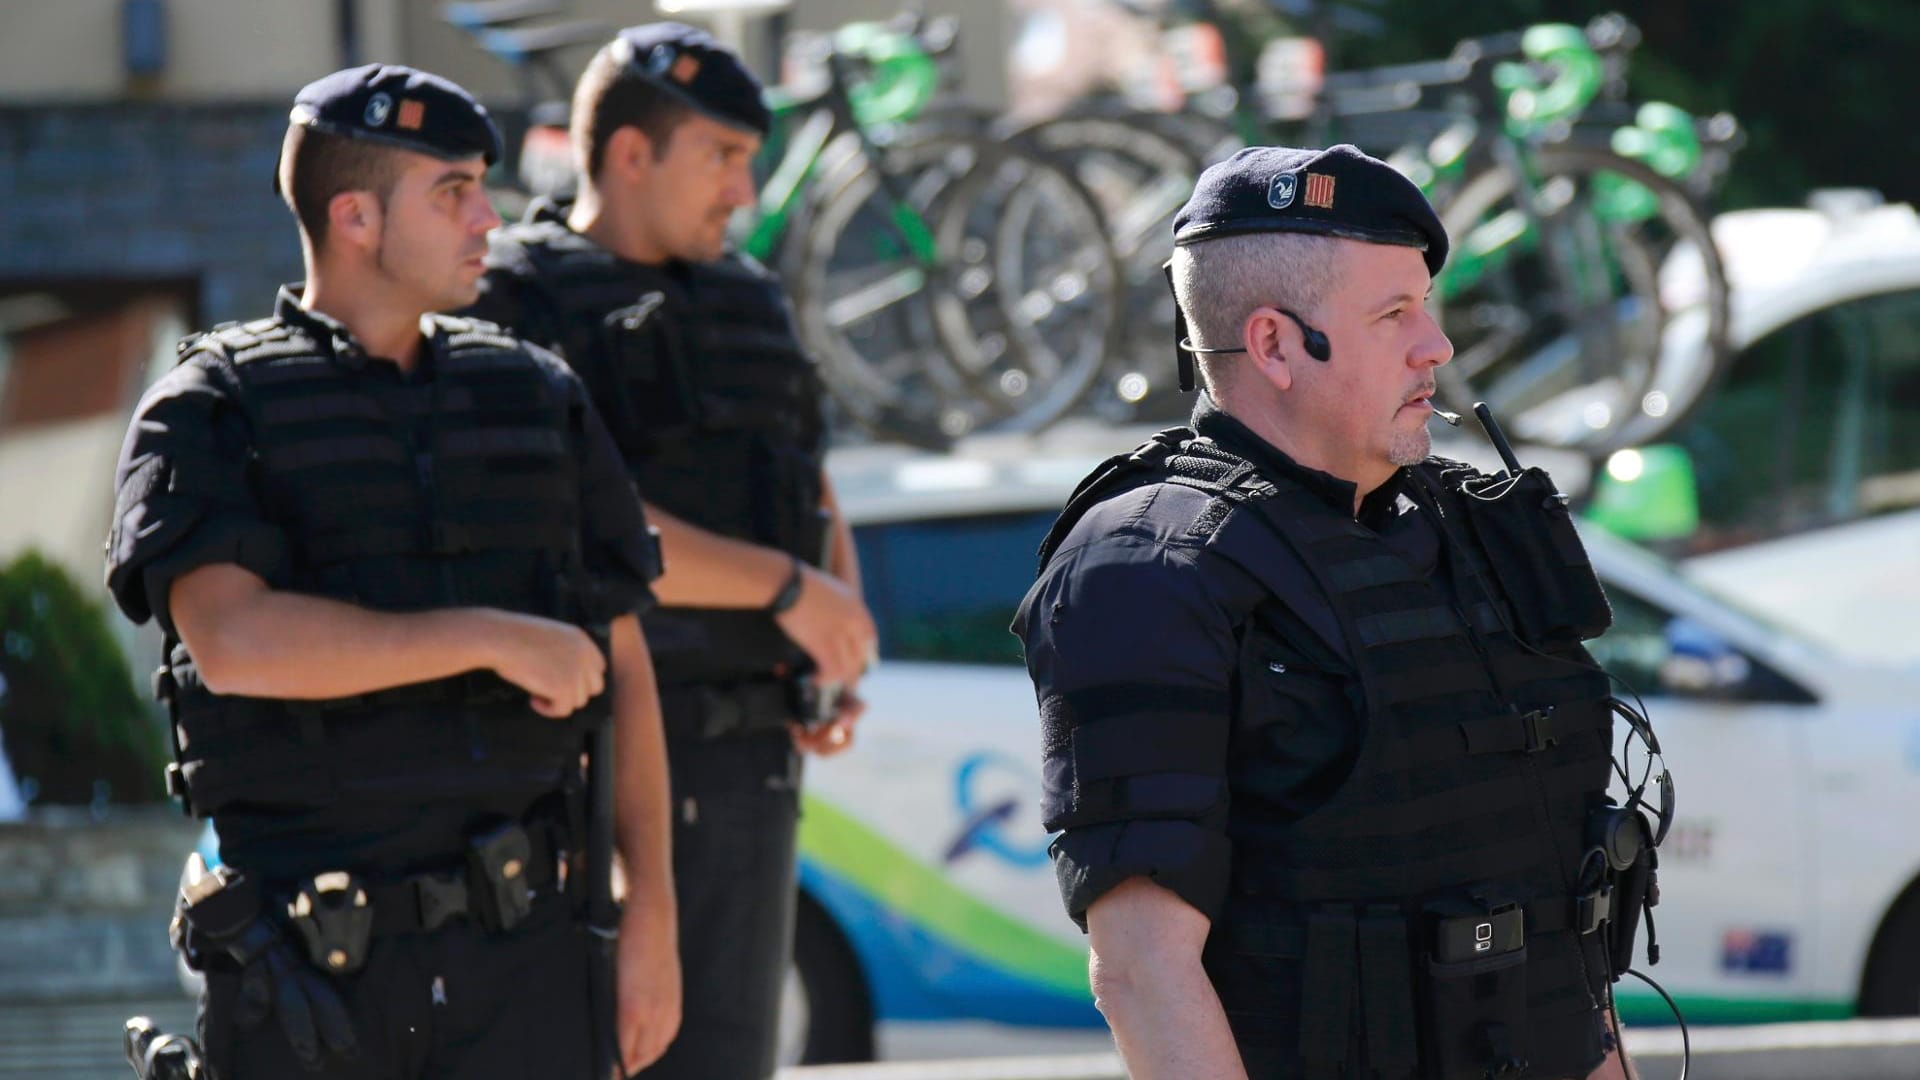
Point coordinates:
[(948, 589)]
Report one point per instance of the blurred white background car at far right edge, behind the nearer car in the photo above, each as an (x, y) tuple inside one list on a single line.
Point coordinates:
[(1796, 483)]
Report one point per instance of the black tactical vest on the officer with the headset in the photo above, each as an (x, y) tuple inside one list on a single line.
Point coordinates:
[(1479, 766)]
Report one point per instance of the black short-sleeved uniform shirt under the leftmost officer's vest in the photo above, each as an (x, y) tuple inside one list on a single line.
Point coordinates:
[(187, 499)]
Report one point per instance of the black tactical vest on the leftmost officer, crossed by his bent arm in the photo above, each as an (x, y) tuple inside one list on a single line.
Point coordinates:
[(400, 497)]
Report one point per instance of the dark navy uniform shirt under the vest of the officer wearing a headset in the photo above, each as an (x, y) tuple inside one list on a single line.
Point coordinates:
[(1140, 624)]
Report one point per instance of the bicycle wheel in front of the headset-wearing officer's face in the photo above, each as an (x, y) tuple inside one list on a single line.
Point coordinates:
[(1564, 362)]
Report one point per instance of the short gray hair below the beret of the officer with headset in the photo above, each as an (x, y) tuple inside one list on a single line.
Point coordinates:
[(1220, 283)]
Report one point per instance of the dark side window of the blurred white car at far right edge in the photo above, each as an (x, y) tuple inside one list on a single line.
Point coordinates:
[(1817, 424)]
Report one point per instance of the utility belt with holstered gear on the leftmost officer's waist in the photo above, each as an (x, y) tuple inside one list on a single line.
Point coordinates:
[(228, 920)]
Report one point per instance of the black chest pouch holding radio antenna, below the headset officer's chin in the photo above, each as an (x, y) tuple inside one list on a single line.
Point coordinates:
[(1543, 568)]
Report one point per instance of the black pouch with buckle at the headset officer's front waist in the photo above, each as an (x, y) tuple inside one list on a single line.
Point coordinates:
[(1474, 993)]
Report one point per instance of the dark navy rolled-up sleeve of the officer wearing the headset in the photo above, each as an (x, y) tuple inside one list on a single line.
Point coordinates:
[(1134, 658)]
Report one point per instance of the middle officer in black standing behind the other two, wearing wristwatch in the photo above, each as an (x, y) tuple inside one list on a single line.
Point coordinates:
[(692, 356)]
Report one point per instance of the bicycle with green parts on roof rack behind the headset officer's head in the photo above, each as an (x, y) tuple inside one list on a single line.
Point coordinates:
[(1564, 201)]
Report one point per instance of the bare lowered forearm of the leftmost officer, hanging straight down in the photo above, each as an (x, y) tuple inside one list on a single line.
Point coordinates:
[(640, 775)]
